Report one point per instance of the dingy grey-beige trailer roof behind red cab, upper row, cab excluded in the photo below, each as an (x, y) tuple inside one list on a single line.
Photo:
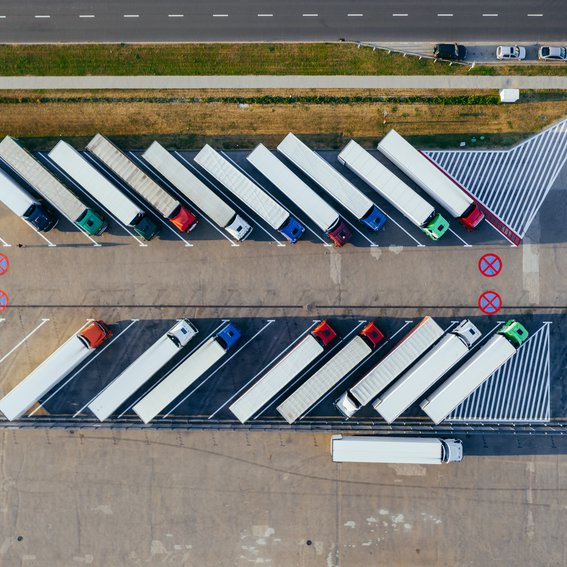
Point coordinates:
[(146, 187)]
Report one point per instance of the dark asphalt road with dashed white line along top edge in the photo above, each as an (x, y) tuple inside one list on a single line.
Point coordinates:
[(37, 21)]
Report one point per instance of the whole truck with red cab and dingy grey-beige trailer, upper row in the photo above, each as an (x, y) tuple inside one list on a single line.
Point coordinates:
[(167, 206)]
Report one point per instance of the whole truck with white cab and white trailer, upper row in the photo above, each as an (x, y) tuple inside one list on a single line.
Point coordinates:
[(196, 191)]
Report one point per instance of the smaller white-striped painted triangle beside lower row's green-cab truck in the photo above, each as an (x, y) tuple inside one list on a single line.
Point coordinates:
[(518, 391)]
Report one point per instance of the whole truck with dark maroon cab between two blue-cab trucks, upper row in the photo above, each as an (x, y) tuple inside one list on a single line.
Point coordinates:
[(318, 210)]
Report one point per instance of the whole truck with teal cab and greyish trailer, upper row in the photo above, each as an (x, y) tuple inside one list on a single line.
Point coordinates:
[(50, 188)]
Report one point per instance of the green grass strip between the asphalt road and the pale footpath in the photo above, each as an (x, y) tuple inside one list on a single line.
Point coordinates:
[(232, 59)]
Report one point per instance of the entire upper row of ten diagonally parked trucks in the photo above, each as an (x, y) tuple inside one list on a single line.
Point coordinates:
[(104, 172)]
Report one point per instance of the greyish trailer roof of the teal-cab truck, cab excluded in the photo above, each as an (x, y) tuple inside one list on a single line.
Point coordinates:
[(28, 168)]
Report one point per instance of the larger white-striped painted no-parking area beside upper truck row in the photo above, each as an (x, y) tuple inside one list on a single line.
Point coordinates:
[(512, 183)]
